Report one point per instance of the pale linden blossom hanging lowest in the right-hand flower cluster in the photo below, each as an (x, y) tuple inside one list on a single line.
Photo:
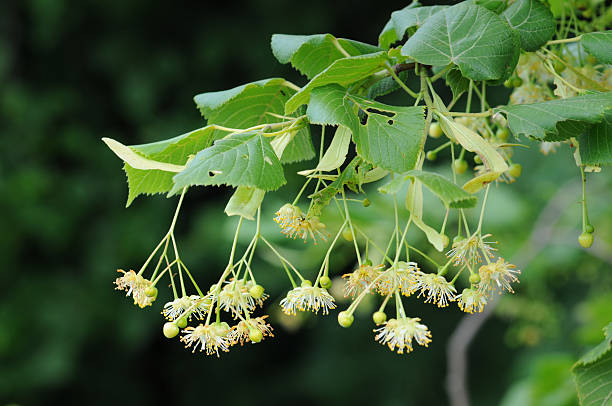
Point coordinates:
[(400, 333)]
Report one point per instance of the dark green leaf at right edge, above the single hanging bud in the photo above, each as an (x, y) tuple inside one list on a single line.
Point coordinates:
[(596, 143)]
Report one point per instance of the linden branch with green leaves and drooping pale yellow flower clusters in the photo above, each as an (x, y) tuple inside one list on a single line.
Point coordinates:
[(394, 150)]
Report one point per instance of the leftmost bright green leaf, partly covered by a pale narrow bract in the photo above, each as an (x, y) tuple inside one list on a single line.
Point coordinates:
[(175, 151)]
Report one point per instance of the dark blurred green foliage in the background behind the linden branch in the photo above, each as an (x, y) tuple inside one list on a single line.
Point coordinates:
[(73, 72)]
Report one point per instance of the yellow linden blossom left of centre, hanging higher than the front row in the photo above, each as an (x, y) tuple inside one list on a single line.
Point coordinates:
[(295, 225)]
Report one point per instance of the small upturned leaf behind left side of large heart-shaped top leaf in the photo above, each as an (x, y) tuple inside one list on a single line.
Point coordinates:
[(403, 20)]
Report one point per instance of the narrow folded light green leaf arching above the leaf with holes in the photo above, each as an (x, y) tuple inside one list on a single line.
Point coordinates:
[(343, 72)]
